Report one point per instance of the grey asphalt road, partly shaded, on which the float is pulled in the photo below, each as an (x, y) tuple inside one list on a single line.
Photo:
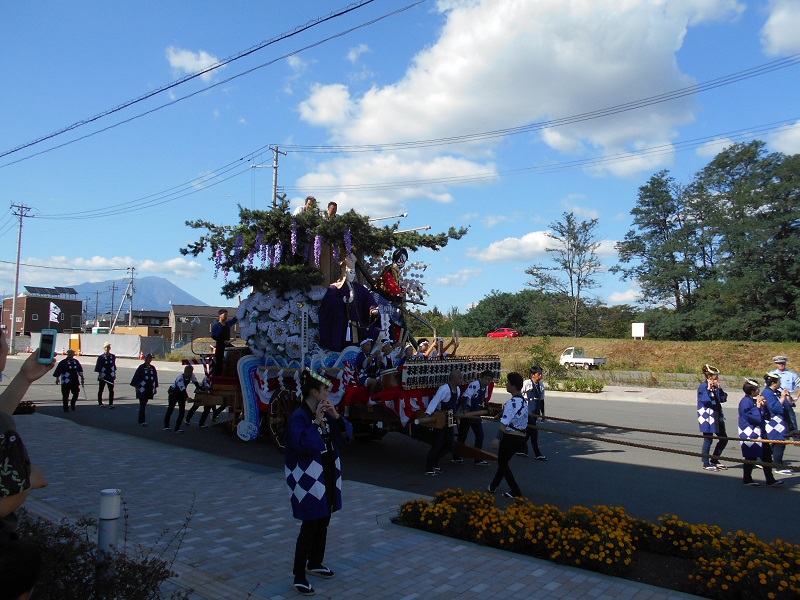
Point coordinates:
[(582, 471)]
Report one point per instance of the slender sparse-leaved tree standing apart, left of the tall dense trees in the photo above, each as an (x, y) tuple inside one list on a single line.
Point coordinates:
[(575, 254)]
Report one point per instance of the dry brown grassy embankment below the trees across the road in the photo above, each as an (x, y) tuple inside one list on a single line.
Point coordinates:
[(732, 358)]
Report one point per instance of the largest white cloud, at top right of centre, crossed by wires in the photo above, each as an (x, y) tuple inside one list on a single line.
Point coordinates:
[(533, 61)]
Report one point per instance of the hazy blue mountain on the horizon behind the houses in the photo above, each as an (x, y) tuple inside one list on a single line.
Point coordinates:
[(150, 293)]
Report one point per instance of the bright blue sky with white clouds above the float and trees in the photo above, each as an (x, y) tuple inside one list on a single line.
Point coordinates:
[(448, 69)]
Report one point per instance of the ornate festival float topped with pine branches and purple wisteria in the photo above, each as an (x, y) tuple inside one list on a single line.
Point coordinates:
[(318, 287)]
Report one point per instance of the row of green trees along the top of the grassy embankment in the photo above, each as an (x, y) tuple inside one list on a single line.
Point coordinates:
[(716, 258)]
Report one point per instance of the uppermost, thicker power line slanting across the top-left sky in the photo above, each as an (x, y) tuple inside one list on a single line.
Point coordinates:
[(191, 76)]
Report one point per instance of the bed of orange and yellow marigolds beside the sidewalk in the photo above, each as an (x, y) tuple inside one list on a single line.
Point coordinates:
[(606, 539)]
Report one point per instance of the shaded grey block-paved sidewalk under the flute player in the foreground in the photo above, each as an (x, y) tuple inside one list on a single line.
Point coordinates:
[(240, 542)]
